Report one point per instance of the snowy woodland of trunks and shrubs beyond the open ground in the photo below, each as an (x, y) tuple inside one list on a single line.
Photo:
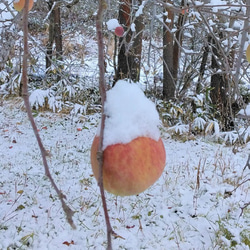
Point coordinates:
[(189, 55)]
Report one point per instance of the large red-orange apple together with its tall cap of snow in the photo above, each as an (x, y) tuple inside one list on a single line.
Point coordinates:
[(133, 153)]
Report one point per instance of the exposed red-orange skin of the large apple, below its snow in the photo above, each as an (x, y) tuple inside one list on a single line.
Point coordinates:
[(129, 169)]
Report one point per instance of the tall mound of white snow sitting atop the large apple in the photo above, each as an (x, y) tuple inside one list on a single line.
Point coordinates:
[(129, 115)]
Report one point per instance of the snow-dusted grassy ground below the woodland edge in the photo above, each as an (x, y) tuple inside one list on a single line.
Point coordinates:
[(200, 201)]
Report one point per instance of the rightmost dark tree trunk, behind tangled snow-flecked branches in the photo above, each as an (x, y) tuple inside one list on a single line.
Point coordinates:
[(221, 43)]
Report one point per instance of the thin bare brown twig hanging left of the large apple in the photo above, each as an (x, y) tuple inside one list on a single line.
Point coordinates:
[(69, 213)]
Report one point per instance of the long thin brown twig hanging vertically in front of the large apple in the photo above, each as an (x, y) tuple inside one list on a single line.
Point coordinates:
[(102, 88)]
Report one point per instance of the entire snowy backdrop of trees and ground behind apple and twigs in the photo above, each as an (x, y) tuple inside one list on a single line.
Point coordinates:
[(189, 58)]
